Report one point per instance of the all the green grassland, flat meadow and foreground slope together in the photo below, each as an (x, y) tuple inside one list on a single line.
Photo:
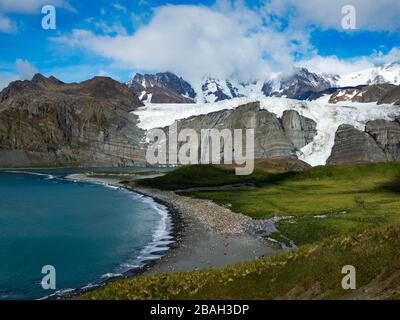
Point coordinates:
[(336, 215)]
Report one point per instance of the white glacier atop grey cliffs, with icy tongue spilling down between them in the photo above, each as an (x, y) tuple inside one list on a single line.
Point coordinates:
[(327, 116)]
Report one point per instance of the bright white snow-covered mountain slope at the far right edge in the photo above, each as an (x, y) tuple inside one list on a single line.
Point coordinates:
[(379, 74)]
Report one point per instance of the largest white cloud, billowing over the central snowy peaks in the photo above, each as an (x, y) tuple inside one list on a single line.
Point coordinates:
[(194, 41)]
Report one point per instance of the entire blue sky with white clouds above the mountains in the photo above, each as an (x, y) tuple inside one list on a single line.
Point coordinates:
[(243, 39)]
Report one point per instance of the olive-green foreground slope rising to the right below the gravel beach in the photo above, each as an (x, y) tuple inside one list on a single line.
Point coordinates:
[(311, 272)]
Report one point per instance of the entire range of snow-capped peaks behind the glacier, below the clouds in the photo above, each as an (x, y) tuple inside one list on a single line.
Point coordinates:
[(300, 84)]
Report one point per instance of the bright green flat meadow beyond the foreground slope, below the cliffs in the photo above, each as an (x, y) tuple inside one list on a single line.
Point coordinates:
[(317, 203)]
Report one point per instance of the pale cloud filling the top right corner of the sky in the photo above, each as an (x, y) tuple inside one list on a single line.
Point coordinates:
[(372, 15)]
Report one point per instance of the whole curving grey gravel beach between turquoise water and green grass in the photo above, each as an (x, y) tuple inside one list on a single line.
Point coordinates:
[(205, 235)]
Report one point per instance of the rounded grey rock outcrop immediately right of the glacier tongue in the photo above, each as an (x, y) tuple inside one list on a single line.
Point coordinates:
[(354, 146)]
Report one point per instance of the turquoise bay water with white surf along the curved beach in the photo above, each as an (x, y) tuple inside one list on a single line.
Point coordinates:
[(87, 232)]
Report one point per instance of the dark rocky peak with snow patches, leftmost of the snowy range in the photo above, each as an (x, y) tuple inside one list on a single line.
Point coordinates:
[(162, 88)]
